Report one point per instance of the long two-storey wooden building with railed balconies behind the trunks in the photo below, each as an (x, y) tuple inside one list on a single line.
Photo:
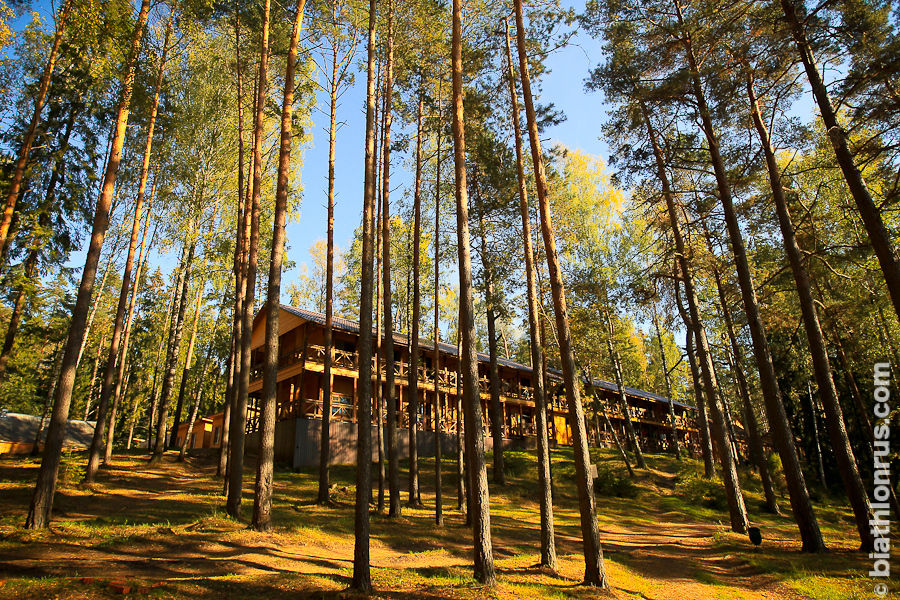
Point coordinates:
[(300, 401)]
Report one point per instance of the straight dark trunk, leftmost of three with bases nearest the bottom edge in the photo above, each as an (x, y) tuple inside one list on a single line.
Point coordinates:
[(362, 579)]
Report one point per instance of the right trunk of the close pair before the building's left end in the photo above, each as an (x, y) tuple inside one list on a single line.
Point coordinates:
[(265, 472)]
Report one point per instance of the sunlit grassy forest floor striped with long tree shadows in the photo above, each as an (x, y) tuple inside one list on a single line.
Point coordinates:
[(664, 535)]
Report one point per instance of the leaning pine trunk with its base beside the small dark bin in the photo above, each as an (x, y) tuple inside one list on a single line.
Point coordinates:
[(736, 507)]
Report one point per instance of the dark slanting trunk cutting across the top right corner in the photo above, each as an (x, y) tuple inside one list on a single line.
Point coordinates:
[(879, 236)]
